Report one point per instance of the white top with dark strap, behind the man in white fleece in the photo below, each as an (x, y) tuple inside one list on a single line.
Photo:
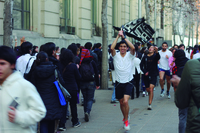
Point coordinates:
[(22, 63)]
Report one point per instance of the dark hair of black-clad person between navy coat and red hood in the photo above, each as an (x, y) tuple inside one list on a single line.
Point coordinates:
[(66, 57)]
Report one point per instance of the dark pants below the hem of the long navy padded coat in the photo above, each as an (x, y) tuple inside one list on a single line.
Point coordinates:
[(47, 126)]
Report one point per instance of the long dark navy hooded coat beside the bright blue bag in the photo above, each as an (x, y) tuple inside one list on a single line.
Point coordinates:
[(43, 78)]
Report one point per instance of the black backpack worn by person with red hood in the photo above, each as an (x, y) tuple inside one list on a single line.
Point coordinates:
[(87, 71)]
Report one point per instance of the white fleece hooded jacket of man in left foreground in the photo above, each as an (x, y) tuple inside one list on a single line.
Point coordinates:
[(30, 109)]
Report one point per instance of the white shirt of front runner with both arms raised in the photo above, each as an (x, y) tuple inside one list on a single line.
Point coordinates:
[(123, 67)]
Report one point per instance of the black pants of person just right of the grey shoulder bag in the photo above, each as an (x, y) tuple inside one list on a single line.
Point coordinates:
[(73, 107)]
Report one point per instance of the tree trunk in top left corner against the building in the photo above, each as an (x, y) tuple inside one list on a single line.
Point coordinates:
[(7, 23)]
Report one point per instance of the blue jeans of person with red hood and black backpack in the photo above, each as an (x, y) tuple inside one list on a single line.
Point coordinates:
[(87, 89)]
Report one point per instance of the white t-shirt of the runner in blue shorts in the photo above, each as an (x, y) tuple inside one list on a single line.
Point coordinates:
[(163, 60)]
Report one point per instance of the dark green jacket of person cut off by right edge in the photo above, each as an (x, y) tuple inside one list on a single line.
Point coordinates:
[(188, 91)]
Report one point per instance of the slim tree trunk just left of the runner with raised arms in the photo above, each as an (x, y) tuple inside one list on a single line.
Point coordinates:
[(104, 20)]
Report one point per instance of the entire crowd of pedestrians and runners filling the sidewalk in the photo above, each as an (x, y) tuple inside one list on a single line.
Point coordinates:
[(33, 81)]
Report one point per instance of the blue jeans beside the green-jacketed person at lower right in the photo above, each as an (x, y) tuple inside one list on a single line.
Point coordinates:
[(182, 113)]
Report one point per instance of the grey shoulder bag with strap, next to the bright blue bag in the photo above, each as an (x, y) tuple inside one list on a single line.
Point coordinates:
[(65, 93)]
